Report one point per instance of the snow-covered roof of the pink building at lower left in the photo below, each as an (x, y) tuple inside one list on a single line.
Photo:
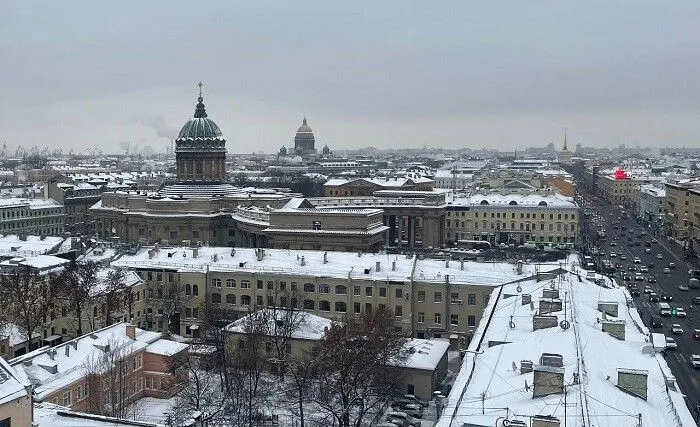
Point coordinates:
[(51, 369)]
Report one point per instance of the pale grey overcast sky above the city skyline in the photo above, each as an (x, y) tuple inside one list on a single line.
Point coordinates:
[(502, 74)]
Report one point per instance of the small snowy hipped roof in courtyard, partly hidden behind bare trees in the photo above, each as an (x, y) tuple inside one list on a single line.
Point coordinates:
[(304, 325)]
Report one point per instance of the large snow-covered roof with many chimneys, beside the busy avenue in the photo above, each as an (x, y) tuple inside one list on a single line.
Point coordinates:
[(590, 358)]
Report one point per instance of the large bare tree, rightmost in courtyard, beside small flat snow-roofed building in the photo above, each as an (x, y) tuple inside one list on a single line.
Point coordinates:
[(352, 379)]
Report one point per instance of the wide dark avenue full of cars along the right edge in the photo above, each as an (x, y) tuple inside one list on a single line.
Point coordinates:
[(621, 236)]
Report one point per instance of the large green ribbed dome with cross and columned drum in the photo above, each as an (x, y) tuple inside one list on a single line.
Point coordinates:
[(200, 150)]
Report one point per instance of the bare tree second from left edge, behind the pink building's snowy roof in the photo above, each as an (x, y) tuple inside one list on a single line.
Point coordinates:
[(76, 284)]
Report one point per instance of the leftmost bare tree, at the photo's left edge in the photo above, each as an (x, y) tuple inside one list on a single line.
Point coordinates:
[(27, 298)]
